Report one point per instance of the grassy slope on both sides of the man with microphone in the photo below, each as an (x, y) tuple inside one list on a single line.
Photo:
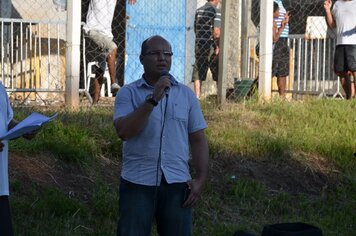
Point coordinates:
[(315, 139)]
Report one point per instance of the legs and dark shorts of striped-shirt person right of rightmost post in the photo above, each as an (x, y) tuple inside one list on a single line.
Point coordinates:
[(280, 65)]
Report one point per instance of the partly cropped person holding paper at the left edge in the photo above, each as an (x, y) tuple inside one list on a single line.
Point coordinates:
[(7, 122)]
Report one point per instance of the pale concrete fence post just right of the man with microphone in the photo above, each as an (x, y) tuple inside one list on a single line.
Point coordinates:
[(224, 51)]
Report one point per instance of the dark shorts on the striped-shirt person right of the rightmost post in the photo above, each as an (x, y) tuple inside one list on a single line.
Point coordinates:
[(280, 63)]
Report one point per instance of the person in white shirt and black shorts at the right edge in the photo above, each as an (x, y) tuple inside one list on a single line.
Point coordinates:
[(342, 17)]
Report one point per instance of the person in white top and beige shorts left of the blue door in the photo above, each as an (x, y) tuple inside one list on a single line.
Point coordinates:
[(98, 29)]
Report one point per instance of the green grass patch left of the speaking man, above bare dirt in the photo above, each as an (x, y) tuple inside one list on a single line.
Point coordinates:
[(76, 137)]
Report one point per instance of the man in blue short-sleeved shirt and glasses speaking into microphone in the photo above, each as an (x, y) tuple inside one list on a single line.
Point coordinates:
[(159, 121)]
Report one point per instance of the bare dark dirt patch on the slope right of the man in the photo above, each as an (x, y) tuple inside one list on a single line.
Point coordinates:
[(310, 176)]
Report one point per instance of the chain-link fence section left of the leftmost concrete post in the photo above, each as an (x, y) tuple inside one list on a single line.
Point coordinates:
[(33, 50)]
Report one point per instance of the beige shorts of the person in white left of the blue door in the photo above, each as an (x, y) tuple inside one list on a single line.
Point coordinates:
[(105, 45)]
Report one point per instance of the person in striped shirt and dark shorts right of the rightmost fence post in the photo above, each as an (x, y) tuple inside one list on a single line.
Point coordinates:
[(280, 63)]
